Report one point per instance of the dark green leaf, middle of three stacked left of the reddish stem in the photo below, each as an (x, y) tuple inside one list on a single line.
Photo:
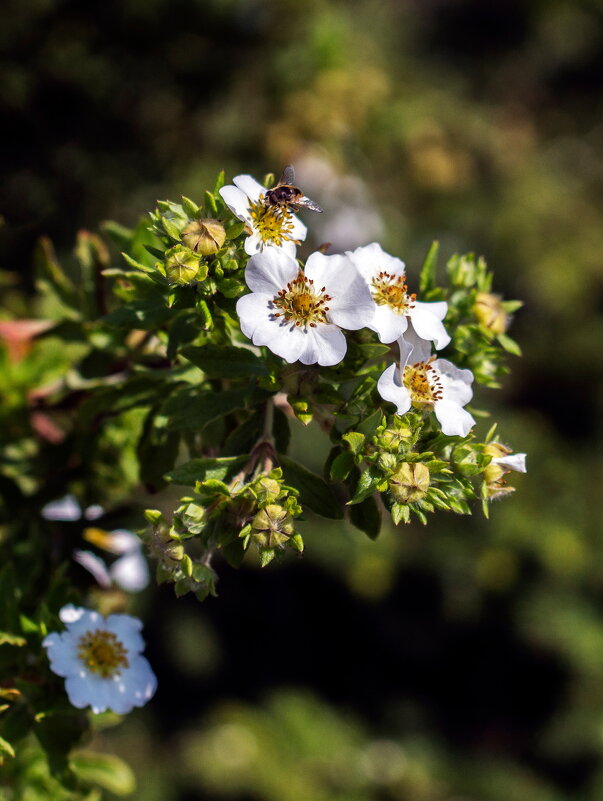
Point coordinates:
[(191, 408)]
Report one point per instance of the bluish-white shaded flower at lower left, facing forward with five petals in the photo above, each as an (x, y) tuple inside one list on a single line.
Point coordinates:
[(101, 661)]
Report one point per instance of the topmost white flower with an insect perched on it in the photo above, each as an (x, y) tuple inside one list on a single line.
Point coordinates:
[(272, 226)]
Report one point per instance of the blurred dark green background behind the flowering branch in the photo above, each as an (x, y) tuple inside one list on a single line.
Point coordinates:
[(458, 662)]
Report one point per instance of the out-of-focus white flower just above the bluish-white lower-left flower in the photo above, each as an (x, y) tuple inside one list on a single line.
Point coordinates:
[(130, 571)]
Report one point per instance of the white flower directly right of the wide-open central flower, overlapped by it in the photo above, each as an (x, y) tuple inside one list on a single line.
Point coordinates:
[(394, 306)]
